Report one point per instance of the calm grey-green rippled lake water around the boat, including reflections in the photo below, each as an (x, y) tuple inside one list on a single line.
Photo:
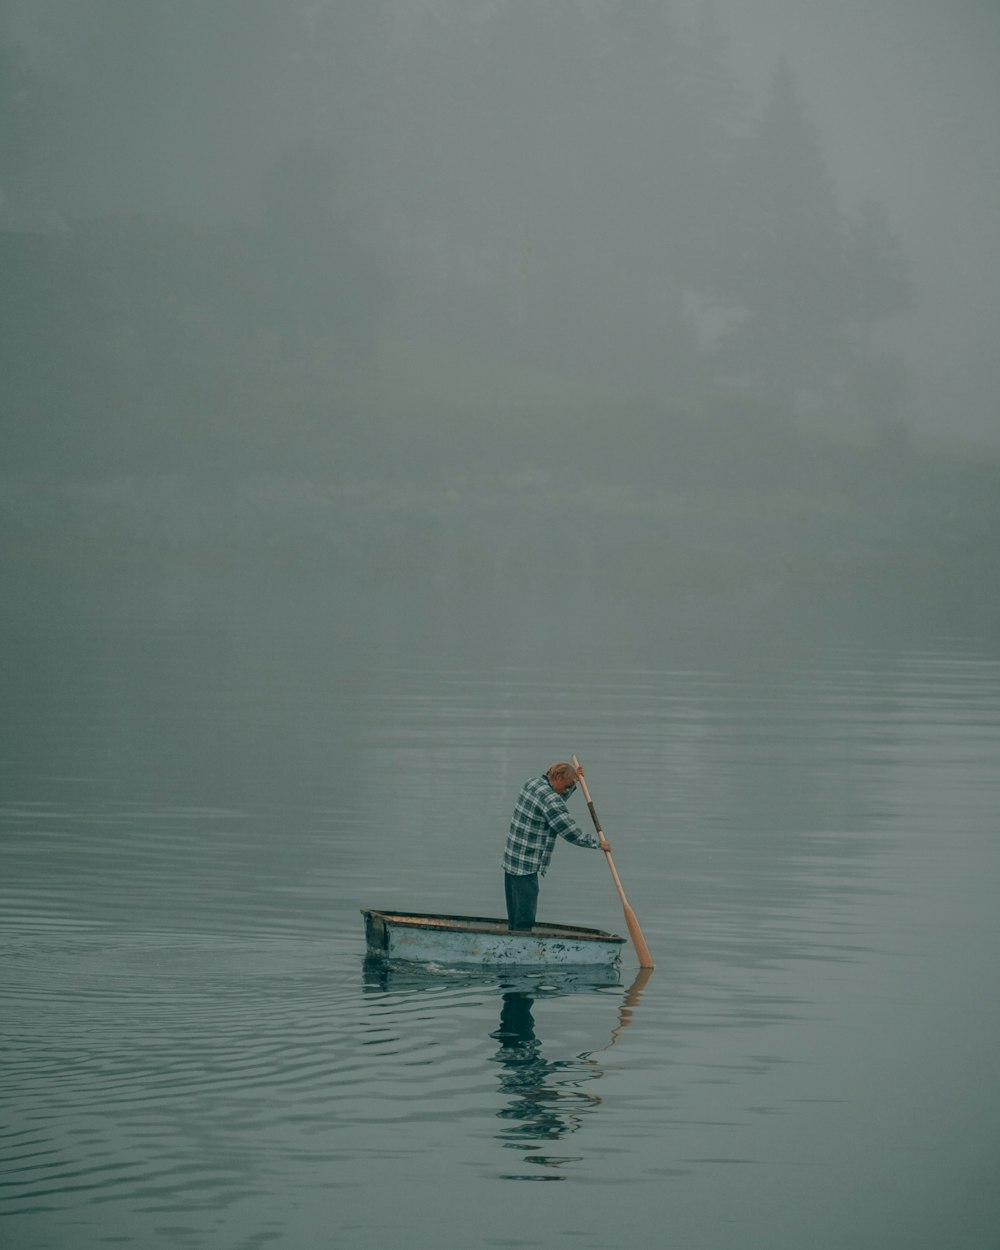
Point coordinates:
[(196, 1053)]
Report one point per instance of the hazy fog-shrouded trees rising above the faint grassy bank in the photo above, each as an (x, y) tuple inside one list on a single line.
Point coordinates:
[(563, 186)]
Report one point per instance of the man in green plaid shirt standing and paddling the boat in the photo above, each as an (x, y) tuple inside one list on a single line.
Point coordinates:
[(541, 816)]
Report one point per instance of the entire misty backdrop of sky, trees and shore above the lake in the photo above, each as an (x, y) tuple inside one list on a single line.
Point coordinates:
[(698, 298)]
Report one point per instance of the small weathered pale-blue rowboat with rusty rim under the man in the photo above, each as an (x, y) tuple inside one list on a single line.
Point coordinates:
[(487, 942)]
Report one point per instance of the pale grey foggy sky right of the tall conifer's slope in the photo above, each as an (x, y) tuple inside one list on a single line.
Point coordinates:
[(908, 101)]
